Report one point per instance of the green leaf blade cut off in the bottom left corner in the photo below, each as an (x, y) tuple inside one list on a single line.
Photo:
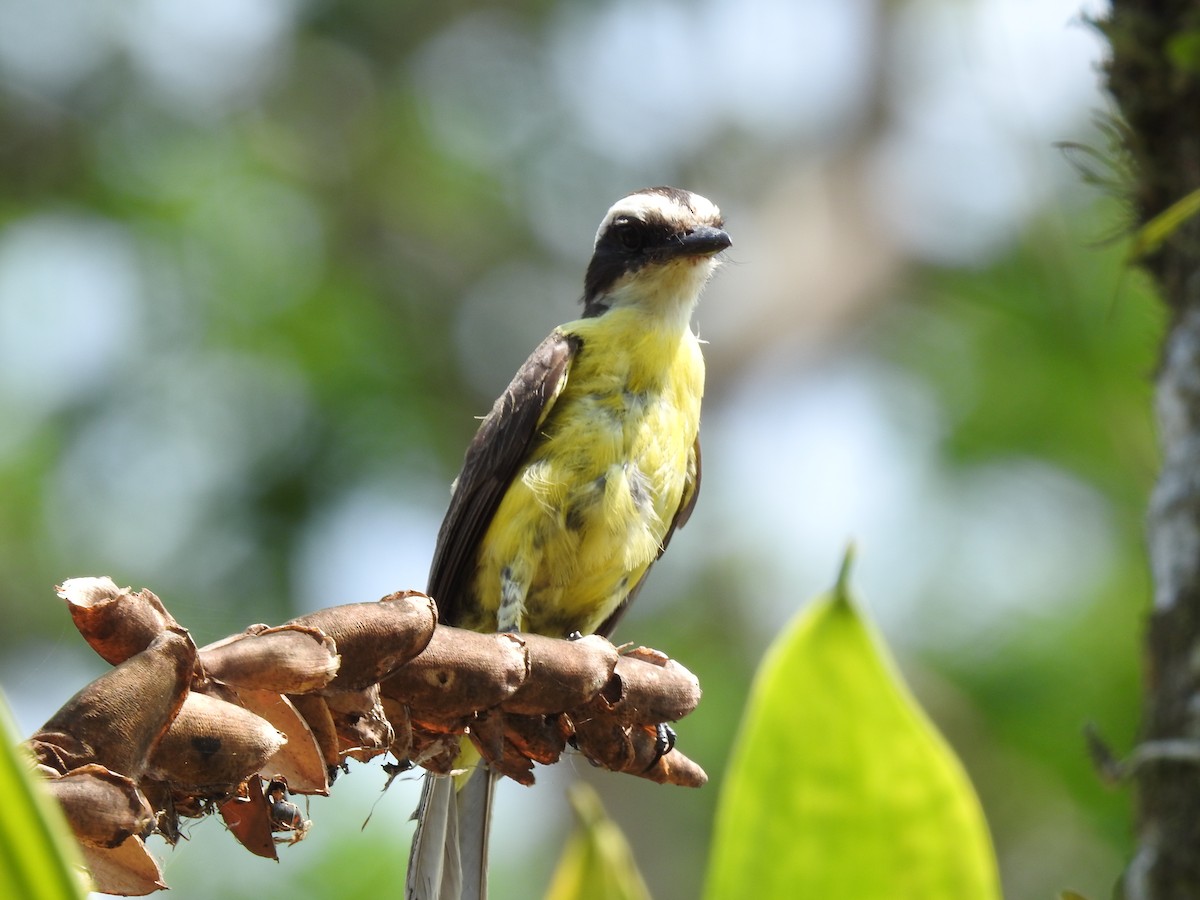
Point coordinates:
[(39, 856)]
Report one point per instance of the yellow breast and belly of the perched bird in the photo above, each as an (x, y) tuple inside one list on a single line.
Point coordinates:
[(590, 509)]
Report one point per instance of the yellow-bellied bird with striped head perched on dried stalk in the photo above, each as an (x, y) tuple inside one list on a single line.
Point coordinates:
[(574, 483)]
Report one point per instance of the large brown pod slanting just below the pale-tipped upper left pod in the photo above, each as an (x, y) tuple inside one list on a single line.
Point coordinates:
[(121, 718)]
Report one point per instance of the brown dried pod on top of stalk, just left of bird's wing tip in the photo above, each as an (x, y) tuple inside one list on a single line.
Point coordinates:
[(375, 640)]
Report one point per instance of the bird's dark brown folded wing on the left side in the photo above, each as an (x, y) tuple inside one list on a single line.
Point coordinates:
[(493, 460)]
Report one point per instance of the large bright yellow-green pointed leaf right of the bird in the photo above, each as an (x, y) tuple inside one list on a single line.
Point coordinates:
[(839, 785)]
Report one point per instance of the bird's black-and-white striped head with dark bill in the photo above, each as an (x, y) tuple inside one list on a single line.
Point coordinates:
[(656, 249)]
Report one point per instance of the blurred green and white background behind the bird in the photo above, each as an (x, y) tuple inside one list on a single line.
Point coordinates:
[(263, 262)]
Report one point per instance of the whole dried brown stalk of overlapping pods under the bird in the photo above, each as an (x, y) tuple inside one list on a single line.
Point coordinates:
[(173, 731)]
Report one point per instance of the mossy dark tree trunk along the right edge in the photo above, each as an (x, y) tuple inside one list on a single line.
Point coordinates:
[(1155, 77)]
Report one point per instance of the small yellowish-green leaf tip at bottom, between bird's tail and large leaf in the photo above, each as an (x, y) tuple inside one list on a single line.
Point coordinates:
[(597, 863)]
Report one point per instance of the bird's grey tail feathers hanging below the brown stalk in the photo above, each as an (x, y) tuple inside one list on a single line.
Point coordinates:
[(449, 855)]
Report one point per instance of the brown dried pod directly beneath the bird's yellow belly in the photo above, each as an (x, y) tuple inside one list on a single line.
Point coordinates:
[(563, 674)]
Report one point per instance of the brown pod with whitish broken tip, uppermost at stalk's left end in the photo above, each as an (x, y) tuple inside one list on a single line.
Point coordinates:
[(117, 623)]
